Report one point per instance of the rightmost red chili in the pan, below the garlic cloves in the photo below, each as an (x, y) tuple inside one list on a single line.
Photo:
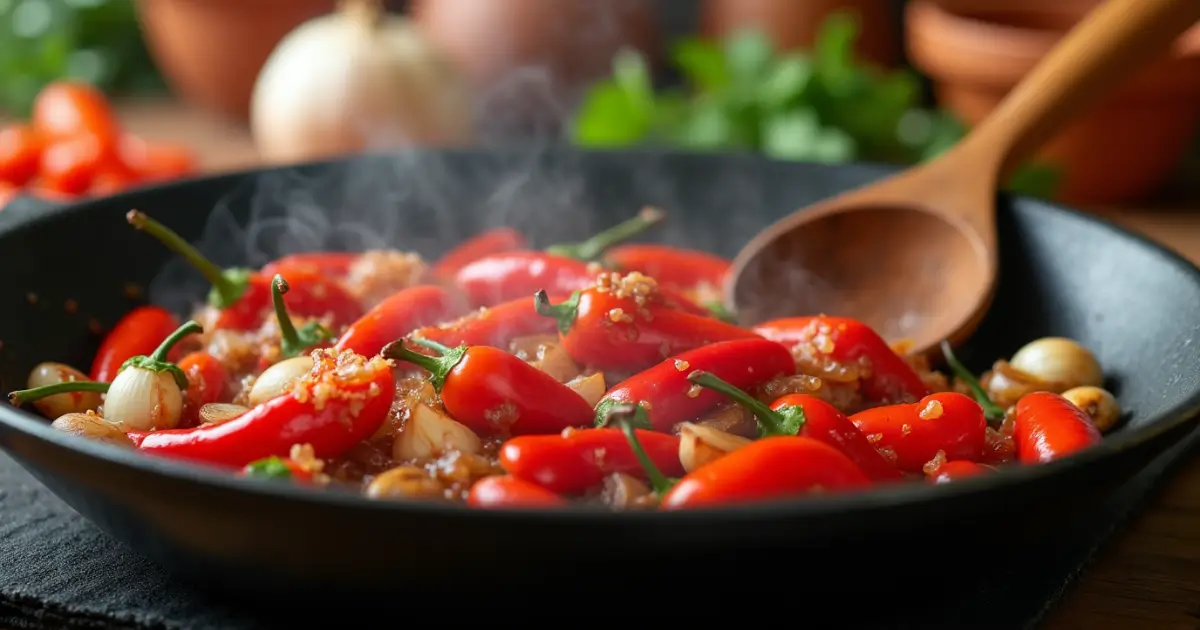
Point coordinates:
[(1049, 428)]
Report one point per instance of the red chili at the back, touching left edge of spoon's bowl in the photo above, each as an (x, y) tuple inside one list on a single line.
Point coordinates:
[(685, 269)]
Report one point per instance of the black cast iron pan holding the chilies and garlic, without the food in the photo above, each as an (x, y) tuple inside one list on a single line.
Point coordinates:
[(1064, 273)]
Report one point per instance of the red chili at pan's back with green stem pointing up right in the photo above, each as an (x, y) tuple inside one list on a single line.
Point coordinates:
[(560, 269)]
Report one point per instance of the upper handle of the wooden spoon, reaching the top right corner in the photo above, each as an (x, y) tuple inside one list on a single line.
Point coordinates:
[(1105, 49)]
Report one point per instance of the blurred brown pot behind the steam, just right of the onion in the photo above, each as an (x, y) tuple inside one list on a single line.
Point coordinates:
[(535, 57)]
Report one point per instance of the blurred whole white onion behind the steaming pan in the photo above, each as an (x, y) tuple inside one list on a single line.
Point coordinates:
[(353, 81)]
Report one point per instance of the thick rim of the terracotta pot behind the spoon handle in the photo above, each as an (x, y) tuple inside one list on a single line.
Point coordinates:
[(952, 46)]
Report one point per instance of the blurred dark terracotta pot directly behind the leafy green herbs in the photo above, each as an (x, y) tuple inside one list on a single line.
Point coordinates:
[(794, 23)]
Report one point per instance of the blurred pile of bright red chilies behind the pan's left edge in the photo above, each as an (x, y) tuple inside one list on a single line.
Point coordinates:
[(74, 147)]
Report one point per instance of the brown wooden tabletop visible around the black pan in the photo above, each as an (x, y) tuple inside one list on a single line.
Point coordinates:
[(1148, 579)]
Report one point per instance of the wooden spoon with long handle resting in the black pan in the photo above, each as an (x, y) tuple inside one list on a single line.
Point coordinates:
[(915, 255)]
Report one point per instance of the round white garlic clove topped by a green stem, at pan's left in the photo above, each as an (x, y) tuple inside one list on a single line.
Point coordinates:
[(145, 400)]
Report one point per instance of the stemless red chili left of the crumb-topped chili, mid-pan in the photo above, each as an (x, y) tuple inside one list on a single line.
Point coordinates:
[(496, 327)]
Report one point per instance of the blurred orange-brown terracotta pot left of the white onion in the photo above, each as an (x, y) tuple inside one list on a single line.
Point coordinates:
[(211, 51)]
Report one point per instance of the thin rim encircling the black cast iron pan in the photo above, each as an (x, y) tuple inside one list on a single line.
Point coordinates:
[(883, 497)]
